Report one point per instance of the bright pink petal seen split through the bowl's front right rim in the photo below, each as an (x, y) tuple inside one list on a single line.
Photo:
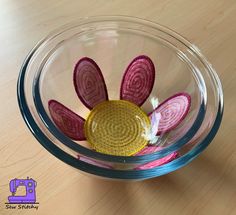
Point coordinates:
[(159, 162)]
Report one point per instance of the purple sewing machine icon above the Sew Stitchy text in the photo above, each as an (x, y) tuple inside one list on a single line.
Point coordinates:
[(30, 186)]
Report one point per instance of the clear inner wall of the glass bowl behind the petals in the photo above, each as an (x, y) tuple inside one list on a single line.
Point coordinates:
[(113, 48)]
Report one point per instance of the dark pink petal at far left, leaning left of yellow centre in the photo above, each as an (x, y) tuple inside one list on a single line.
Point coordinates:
[(67, 121)]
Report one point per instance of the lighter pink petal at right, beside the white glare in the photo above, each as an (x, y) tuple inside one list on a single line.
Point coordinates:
[(173, 111)]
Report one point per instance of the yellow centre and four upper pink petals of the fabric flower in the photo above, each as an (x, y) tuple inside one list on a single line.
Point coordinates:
[(119, 127)]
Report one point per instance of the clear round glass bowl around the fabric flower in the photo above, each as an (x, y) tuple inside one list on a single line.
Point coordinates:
[(113, 41)]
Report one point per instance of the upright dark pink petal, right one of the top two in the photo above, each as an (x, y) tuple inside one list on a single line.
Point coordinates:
[(138, 80)]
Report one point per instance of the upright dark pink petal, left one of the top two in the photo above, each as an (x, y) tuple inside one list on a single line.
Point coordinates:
[(89, 83)]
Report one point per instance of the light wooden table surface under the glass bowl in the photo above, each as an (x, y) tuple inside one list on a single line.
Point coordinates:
[(205, 186)]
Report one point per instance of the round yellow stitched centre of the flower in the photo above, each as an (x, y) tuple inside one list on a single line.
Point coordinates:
[(117, 127)]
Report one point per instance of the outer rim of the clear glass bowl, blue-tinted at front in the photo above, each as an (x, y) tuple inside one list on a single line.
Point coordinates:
[(122, 174)]
